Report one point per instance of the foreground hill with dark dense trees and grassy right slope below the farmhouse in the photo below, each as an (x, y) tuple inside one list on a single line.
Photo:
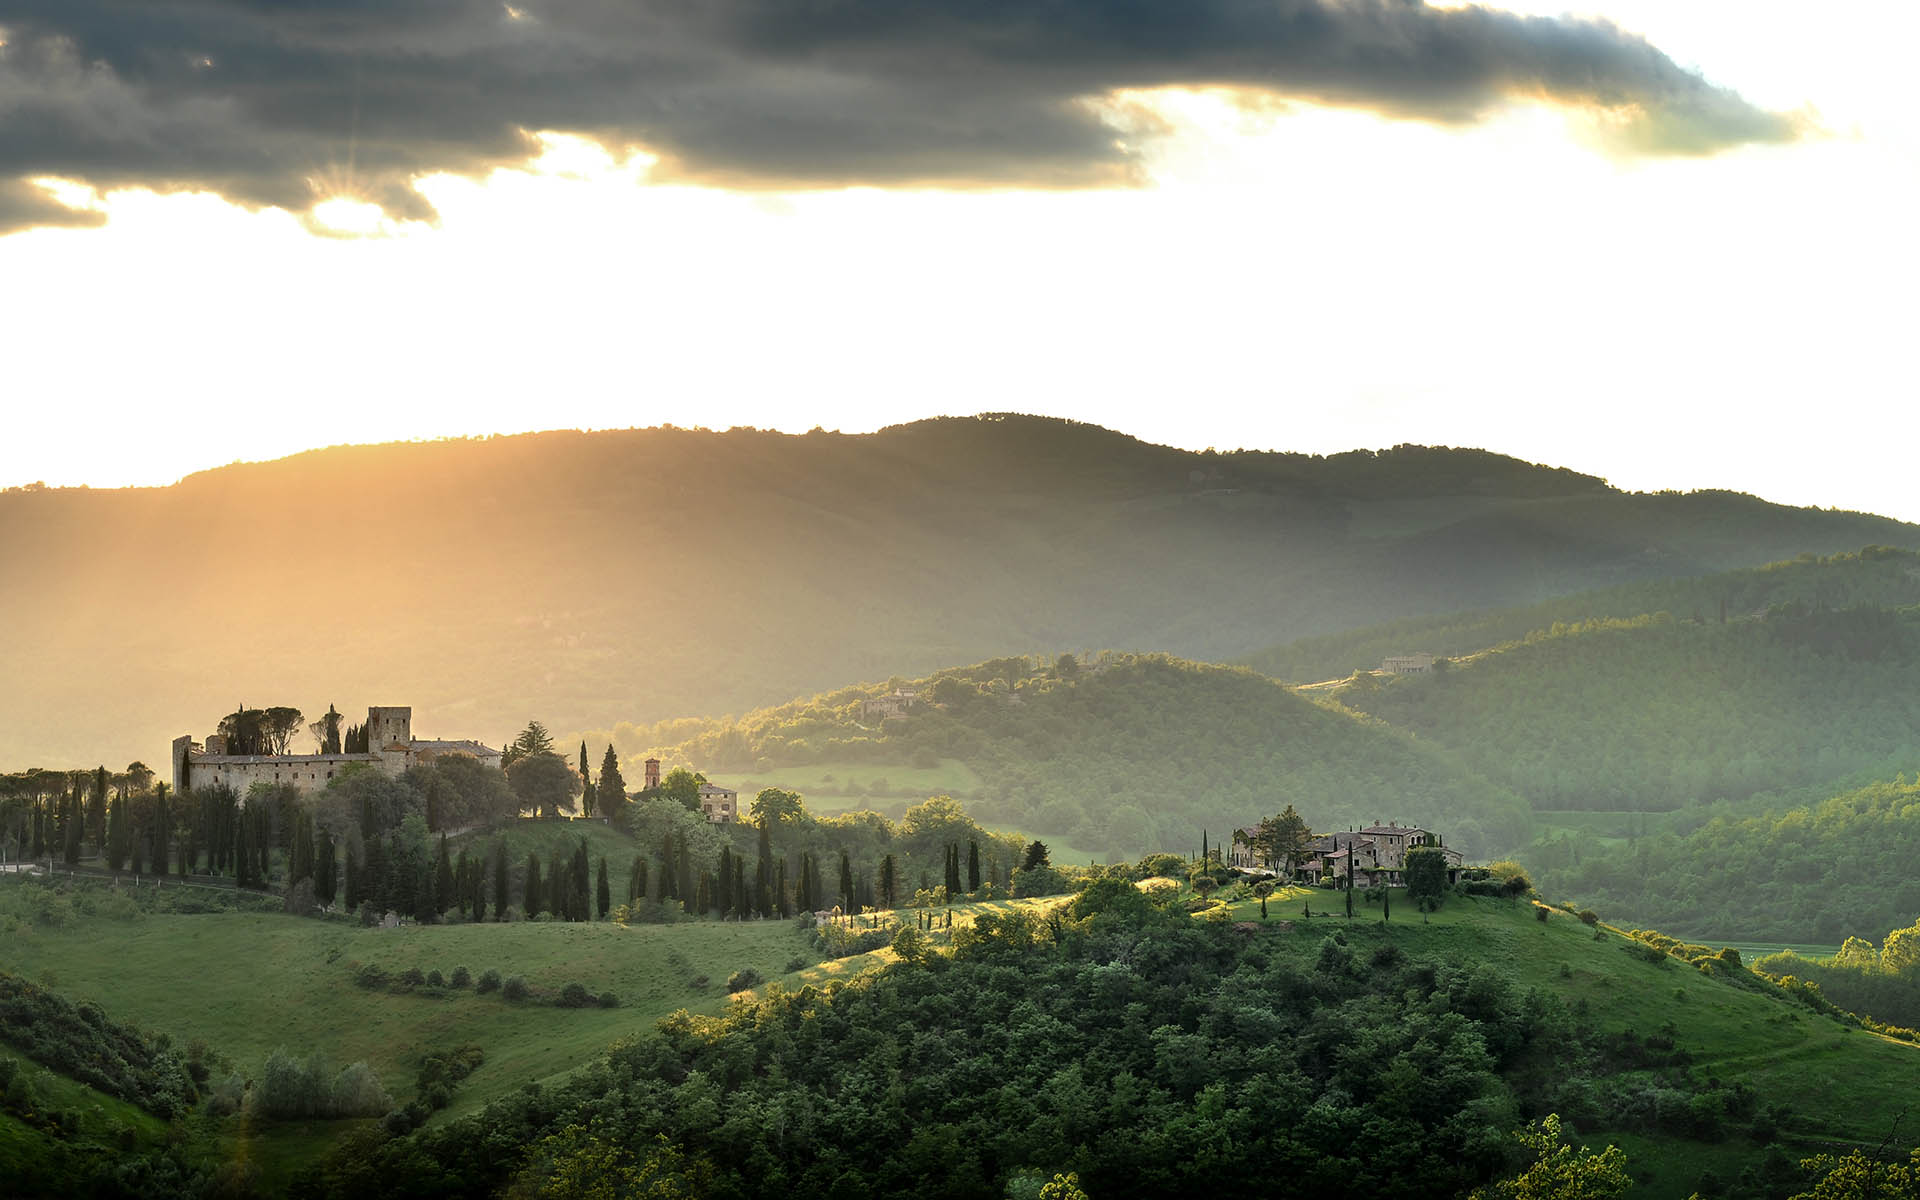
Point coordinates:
[(1151, 1055)]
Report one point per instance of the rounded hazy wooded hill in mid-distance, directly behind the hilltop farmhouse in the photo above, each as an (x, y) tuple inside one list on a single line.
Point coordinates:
[(1124, 756)]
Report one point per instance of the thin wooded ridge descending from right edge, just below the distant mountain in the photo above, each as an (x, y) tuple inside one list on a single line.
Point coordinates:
[(1879, 577)]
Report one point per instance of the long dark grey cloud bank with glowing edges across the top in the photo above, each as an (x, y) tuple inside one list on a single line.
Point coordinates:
[(287, 101)]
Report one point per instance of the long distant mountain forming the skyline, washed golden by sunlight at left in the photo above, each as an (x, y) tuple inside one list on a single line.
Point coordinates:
[(640, 575)]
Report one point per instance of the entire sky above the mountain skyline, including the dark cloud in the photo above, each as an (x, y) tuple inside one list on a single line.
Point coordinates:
[(1668, 243)]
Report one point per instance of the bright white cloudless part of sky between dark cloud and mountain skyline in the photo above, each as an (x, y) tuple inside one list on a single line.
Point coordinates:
[(1289, 277)]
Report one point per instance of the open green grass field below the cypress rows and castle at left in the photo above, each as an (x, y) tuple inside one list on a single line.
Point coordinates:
[(249, 984)]
